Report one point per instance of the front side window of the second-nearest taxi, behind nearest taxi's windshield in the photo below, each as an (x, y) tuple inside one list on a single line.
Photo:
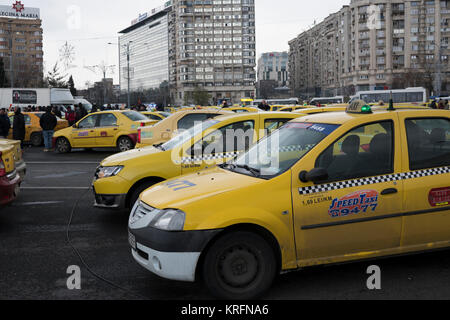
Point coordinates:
[(232, 138)]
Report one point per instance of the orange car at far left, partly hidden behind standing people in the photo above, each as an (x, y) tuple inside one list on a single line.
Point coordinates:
[(33, 130)]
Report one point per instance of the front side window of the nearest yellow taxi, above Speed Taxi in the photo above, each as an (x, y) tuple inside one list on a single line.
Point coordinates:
[(365, 151)]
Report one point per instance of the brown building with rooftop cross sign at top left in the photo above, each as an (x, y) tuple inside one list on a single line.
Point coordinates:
[(21, 48)]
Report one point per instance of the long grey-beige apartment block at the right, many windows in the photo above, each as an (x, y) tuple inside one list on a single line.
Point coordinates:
[(374, 44)]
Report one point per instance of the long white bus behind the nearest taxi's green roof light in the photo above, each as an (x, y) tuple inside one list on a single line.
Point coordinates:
[(409, 95)]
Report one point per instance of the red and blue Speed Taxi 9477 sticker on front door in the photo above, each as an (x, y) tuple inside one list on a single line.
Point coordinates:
[(354, 203)]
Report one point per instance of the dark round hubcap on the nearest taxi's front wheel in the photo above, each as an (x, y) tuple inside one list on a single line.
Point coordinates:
[(238, 266)]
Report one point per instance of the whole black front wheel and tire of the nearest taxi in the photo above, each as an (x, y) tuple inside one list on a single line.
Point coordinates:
[(240, 265)]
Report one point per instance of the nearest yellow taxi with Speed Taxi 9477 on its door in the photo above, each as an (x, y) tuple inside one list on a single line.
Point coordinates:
[(310, 194)]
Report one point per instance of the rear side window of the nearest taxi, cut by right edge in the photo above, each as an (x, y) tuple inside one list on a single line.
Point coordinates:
[(428, 143)]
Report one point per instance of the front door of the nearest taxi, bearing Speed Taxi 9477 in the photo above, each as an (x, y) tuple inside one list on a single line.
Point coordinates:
[(353, 213)]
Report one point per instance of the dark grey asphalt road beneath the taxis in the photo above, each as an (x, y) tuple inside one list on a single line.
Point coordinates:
[(35, 254)]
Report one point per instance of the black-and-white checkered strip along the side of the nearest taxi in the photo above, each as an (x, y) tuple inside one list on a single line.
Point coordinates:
[(373, 180)]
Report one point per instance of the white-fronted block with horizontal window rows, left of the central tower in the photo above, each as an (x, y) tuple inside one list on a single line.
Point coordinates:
[(147, 42)]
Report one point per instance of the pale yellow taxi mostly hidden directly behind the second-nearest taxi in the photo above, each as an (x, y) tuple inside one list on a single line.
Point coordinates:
[(164, 130)]
